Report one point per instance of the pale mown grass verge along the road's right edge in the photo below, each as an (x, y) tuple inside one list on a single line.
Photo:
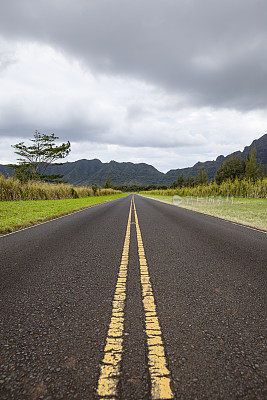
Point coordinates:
[(251, 212)]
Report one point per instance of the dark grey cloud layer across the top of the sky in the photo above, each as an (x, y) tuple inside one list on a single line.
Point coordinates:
[(213, 52)]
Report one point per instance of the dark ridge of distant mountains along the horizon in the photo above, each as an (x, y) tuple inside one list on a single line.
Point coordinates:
[(87, 172)]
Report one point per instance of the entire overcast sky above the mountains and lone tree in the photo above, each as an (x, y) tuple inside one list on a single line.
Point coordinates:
[(167, 82)]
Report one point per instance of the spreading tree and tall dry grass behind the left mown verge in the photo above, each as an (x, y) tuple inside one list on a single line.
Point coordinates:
[(31, 180)]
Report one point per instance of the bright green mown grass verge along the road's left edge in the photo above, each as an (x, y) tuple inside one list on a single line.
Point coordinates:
[(15, 215)]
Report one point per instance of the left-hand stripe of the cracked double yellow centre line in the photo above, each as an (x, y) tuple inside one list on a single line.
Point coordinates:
[(110, 368)]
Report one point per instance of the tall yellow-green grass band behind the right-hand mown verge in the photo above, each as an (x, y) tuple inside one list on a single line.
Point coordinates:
[(237, 188)]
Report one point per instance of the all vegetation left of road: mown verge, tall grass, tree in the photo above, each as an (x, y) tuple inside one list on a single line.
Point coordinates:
[(33, 195)]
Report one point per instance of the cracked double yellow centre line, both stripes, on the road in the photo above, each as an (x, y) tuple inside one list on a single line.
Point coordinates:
[(110, 368)]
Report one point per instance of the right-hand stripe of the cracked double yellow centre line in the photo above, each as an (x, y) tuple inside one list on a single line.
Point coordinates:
[(159, 373)]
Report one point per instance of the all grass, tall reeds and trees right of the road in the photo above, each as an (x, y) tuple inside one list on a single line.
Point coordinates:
[(238, 192)]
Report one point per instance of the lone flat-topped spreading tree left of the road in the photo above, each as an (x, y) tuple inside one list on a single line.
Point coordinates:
[(35, 159)]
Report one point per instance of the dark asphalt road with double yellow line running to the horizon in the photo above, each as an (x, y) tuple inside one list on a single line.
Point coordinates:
[(58, 306)]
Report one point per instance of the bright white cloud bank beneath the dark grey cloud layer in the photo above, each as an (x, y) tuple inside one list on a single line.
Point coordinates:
[(46, 91)]
